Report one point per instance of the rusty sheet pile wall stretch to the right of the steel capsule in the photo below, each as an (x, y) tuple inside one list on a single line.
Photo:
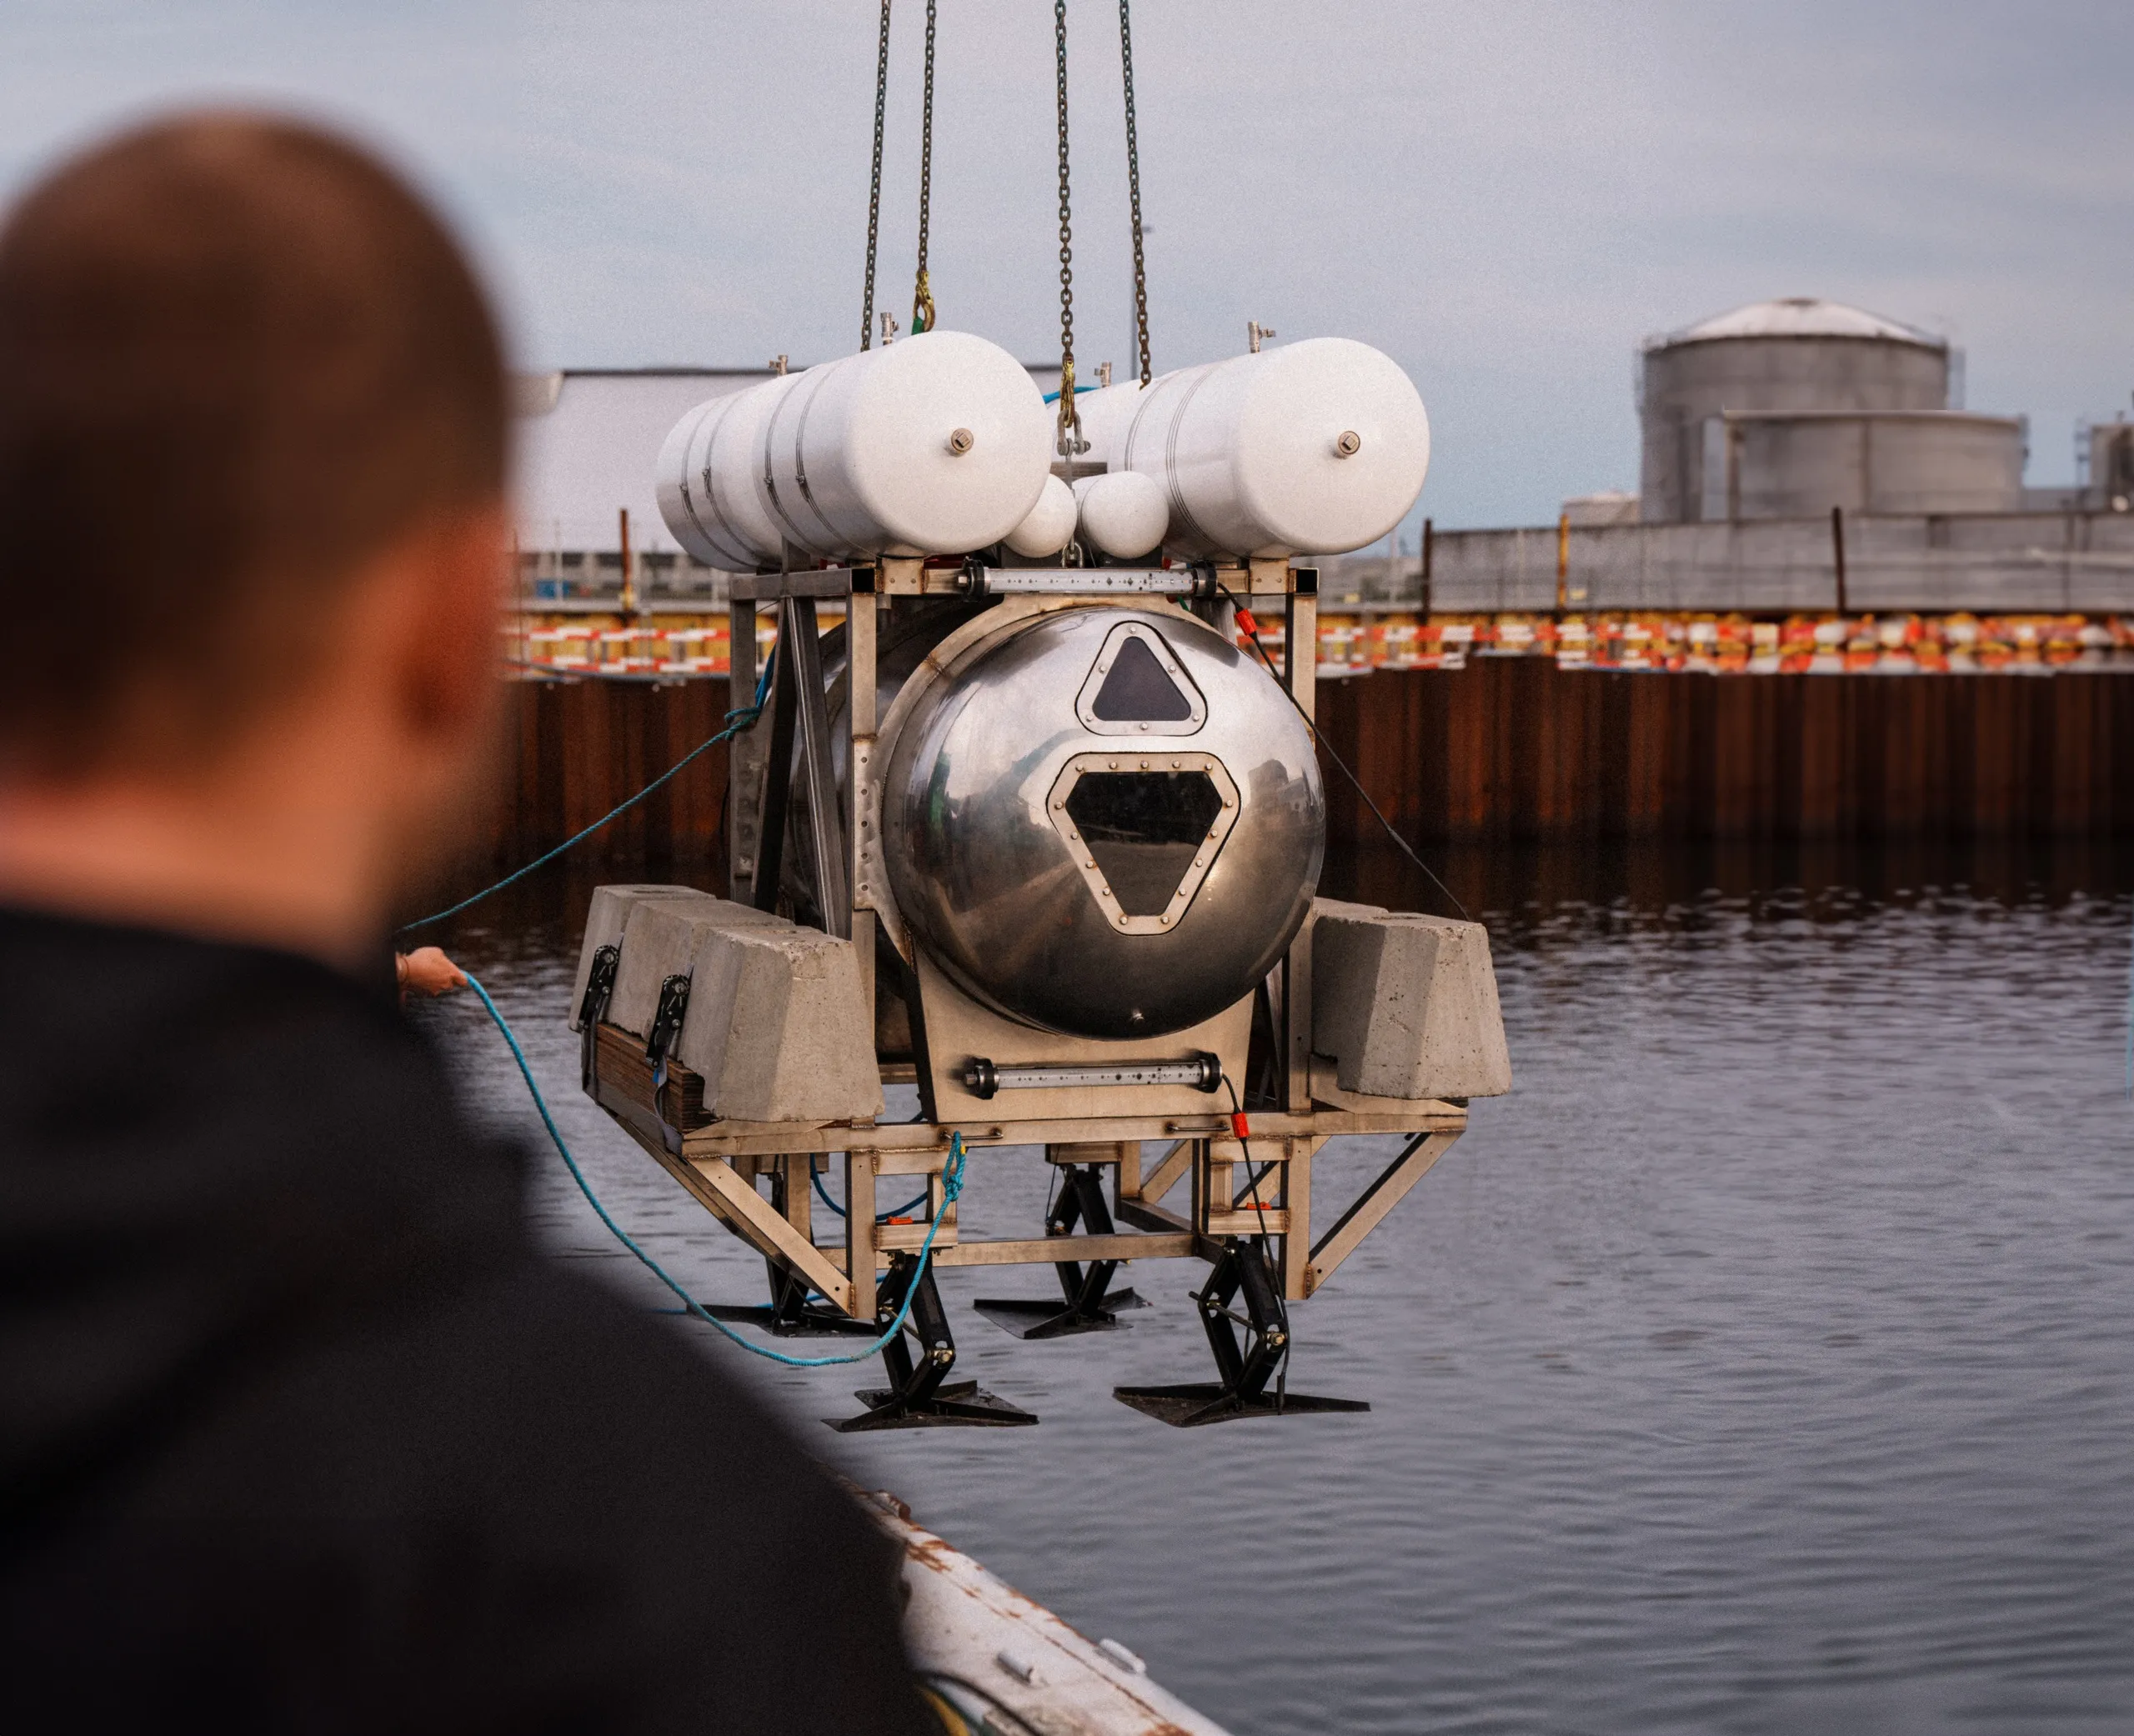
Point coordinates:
[(1518, 750)]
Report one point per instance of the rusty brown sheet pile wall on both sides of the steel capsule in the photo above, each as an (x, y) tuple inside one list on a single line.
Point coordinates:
[(1510, 748)]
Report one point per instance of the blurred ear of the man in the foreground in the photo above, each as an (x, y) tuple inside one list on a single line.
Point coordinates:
[(456, 594)]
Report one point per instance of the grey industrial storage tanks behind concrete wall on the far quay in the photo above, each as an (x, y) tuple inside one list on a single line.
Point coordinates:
[(1800, 455)]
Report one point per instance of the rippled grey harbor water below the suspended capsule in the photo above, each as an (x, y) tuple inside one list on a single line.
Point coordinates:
[(1762, 1364)]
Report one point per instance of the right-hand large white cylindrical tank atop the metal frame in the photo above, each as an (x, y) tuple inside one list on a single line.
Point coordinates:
[(1311, 449)]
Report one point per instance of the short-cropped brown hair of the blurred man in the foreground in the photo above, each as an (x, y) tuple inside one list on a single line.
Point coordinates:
[(238, 359)]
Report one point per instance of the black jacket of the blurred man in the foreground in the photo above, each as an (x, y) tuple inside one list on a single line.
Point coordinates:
[(300, 1432)]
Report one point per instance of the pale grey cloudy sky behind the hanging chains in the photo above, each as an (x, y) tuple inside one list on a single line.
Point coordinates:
[(1506, 197)]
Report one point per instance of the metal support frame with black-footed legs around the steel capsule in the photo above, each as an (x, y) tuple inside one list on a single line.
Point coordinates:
[(1256, 1229)]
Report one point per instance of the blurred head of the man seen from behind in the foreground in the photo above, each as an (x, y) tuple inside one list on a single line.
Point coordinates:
[(253, 455)]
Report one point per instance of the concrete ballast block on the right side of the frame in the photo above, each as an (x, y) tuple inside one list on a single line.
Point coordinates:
[(1405, 1006)]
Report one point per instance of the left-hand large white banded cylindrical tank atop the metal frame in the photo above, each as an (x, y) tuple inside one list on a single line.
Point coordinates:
[(938, 445)]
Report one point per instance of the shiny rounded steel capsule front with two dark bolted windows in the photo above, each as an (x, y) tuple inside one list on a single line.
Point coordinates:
[(1106, 822)]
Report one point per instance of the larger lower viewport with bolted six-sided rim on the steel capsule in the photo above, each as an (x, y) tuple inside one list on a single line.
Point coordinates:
[(1145, 831)]
